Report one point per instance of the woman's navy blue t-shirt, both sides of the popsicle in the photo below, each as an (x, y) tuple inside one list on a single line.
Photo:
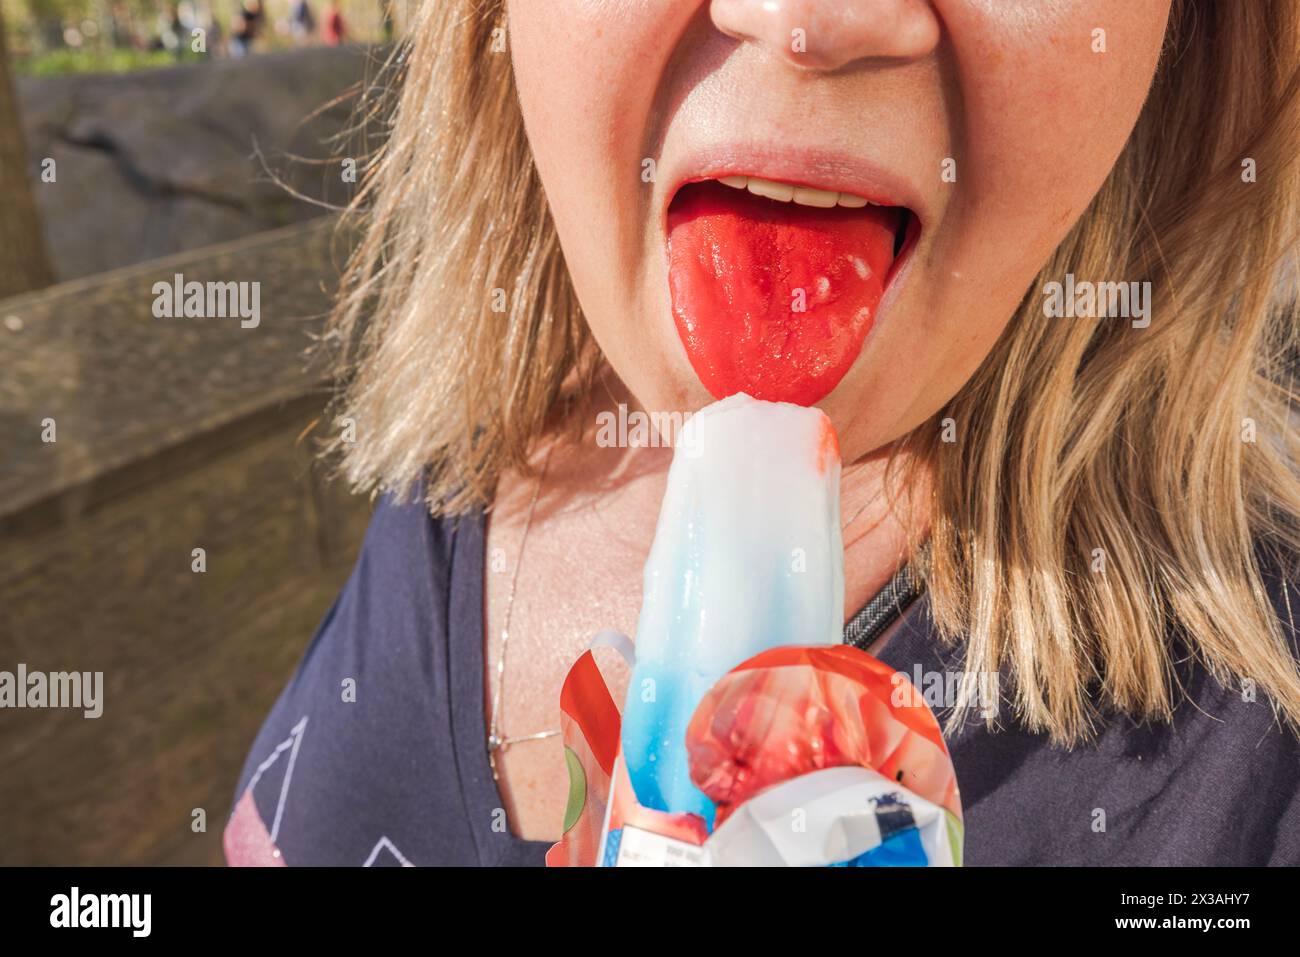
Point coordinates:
[(398, 776)]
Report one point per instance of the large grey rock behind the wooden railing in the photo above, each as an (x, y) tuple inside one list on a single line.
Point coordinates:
[(161, 162)]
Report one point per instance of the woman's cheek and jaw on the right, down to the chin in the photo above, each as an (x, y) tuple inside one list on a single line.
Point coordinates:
[(1037, 120)]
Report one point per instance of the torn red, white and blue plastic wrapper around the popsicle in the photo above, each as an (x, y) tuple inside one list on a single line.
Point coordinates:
[(816, 756)]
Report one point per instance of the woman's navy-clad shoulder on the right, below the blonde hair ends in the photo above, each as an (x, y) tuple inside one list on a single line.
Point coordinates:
[(1217, 785)]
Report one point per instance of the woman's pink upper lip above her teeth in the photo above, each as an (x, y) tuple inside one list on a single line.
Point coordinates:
[(803, 167)]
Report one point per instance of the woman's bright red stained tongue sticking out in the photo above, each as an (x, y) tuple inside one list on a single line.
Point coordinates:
[(772, 298)]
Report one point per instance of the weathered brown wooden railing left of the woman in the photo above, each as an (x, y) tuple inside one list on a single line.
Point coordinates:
[(170, 435)]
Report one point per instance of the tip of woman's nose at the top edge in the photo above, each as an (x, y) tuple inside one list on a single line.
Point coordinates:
[(829, 34)]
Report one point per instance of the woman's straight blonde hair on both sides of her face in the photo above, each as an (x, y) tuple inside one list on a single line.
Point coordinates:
[(1115, 491)]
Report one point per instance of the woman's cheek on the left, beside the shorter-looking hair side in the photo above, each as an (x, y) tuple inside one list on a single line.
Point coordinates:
[(587, 73)]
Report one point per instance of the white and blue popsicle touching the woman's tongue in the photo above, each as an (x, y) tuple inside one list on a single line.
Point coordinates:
[(747, 557)]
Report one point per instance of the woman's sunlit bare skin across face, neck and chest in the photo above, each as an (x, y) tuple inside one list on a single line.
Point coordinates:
[(883, 97)]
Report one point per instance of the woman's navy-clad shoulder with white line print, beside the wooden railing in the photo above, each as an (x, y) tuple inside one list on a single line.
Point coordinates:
[(356, 747)]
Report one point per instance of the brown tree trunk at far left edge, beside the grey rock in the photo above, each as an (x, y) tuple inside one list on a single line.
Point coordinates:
[(24, 265)]
